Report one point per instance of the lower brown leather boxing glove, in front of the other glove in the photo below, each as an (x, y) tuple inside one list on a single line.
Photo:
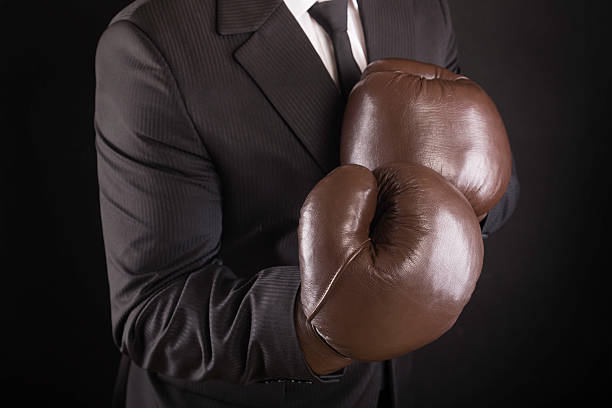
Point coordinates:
[(388, 260)]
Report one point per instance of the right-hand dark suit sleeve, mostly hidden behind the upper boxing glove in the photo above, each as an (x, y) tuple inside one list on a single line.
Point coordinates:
[(501, 212)]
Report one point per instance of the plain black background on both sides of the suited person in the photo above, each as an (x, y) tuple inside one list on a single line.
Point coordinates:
[(534, 332)]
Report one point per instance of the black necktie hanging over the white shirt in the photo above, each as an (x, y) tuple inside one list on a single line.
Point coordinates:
[(331, 15)]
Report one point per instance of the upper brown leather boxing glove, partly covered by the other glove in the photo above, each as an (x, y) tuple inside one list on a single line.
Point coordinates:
[(403, 110)]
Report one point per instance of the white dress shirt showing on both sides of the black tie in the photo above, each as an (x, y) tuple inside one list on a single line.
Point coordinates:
[(320, 39)]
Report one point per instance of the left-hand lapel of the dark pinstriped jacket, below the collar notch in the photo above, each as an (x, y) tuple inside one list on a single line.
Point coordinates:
[(282, 61)]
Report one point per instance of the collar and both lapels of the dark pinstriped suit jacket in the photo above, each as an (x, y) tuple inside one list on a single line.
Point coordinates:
[(285, 66)]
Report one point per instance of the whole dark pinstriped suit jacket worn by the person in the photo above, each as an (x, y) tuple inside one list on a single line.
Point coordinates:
[(214, 119)]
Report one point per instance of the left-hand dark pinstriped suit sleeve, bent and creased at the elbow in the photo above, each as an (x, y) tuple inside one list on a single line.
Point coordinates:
[(176, 308)]
